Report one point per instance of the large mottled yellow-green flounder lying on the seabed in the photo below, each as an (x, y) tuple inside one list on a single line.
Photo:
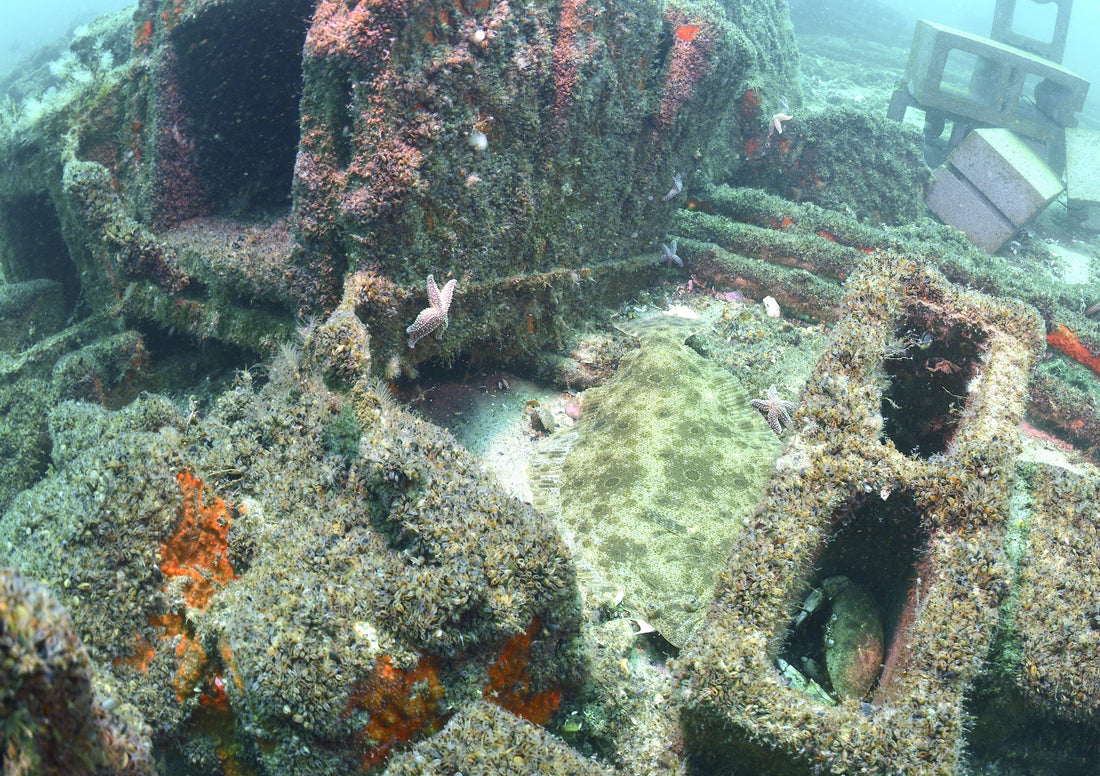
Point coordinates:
[(653, 484)]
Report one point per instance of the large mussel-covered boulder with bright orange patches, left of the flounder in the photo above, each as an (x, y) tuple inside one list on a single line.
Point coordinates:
[(292, 620)]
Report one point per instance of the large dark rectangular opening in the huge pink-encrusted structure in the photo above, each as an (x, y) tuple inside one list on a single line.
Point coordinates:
[(240, 74)]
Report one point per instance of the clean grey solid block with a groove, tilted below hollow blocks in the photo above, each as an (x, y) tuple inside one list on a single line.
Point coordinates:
[(991, 187)]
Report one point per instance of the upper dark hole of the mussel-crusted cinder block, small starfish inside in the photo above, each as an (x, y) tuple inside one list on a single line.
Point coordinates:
[(930, 364)]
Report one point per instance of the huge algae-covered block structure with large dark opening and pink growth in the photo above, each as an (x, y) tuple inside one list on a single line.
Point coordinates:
[(522, 149)]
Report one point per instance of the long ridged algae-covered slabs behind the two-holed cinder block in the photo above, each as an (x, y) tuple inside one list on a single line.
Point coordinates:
[(801, 255)]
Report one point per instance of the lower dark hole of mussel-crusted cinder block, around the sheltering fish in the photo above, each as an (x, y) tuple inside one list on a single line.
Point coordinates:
[(877, 549)]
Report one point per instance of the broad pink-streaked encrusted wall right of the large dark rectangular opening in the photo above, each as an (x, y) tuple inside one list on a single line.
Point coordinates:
[(522, 149)]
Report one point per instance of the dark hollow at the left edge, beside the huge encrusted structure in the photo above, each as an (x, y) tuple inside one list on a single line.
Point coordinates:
[(35, 248)]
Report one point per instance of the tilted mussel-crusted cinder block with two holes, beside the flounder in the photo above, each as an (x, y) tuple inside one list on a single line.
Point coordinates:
[(899, 482)]
